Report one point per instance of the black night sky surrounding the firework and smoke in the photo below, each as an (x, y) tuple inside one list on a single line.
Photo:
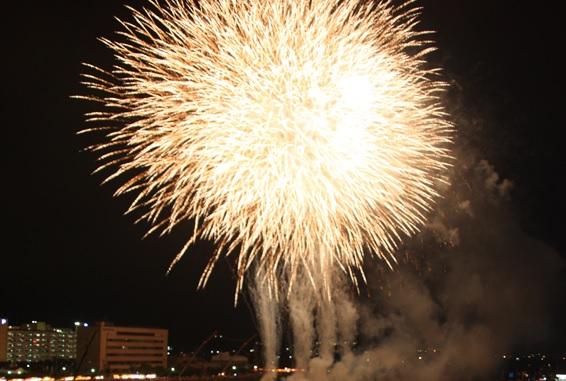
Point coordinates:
[(70, 254)]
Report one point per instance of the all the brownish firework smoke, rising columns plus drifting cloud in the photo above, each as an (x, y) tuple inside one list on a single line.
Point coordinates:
[(468, 289)]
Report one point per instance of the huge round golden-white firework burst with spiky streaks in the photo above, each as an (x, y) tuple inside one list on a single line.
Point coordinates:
[(299, 136)]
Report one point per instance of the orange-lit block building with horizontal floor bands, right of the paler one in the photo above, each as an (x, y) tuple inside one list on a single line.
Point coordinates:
[(107, 348)]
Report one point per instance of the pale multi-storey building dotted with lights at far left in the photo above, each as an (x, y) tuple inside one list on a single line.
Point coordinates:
[(36, 342)]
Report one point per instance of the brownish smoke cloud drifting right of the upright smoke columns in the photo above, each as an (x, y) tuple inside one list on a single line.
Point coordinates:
[(471, 288)]
